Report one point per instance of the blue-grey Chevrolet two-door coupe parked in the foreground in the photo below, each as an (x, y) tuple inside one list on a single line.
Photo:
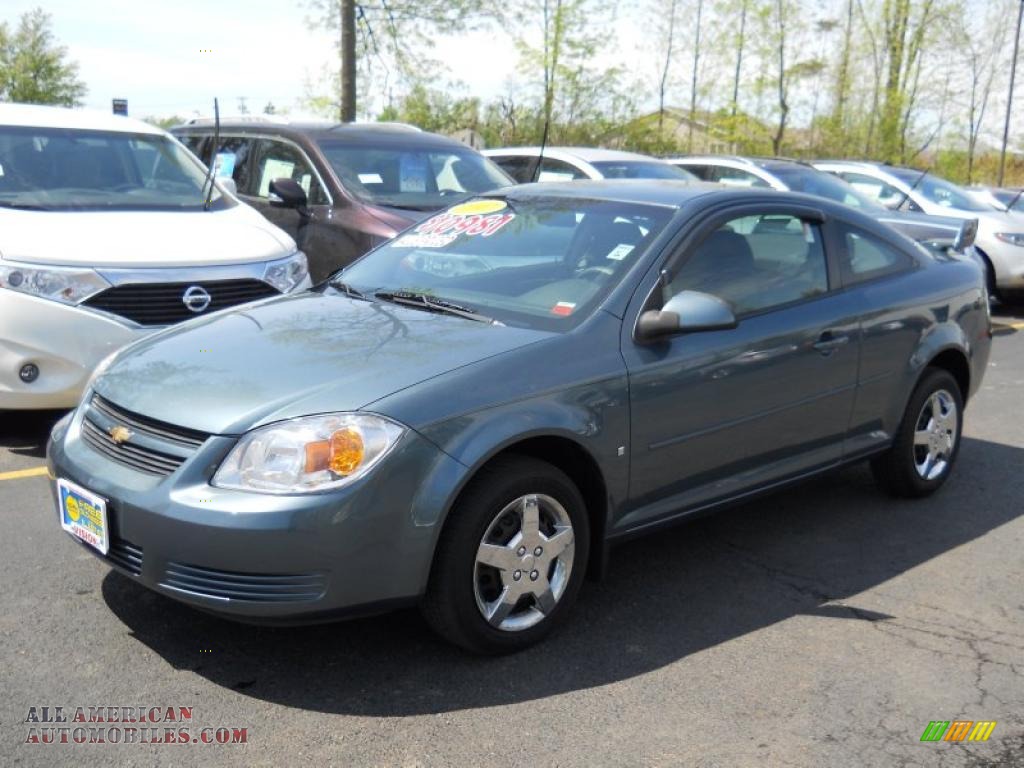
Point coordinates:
[(467, 418)]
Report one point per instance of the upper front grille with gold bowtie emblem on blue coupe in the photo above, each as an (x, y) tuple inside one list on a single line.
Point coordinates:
[(181, 444)]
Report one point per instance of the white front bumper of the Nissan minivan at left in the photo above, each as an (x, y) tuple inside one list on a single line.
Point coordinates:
[(65, 343)]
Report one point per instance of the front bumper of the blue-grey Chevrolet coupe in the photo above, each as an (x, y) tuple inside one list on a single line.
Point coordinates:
[(268, 559)]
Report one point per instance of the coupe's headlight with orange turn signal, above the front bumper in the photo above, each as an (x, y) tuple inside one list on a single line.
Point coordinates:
[(315, 453)]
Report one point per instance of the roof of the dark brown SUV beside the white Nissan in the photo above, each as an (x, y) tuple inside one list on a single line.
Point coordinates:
[(398, 134)]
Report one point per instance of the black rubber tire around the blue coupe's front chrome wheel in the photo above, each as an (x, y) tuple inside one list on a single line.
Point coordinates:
[(451, 604)]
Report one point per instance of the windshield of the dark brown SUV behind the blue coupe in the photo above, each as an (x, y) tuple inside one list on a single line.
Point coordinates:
[(415, 179)]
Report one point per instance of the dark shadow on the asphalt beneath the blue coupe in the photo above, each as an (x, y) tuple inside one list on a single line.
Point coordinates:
[(665, 598)]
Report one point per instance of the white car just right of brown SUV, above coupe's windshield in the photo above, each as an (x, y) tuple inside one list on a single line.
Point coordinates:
[(526, 164)]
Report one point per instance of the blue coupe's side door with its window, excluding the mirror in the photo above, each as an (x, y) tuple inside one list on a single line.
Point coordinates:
[(718, 414)]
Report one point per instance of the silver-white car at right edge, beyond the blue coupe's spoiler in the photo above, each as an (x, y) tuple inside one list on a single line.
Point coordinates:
[(1001, 235)]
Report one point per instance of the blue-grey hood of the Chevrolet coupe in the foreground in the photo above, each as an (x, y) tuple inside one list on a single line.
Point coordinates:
[(294, 356)]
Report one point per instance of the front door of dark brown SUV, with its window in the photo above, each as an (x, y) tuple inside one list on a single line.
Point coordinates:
[(328, 245)]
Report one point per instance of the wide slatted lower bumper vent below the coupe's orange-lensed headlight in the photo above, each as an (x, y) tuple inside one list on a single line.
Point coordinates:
[(249, 587)]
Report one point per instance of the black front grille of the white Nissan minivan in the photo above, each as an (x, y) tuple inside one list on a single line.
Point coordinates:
[(163, 304)]
